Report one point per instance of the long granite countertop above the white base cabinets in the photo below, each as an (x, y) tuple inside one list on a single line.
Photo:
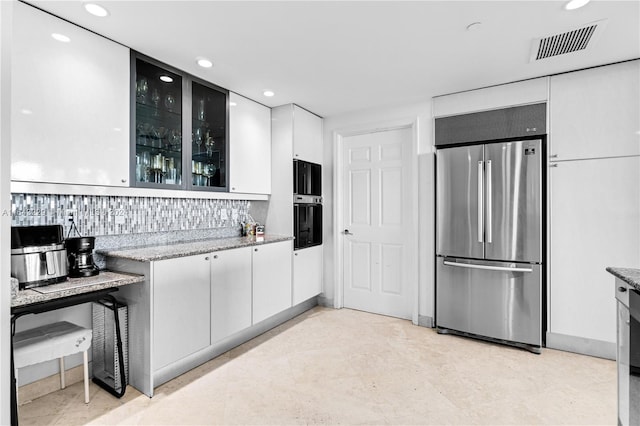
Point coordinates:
[(169, 251)]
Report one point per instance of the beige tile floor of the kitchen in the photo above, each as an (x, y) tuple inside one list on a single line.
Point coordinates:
[(349, 367)]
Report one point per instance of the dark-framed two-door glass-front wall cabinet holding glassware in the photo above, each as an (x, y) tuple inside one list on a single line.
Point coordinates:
[(179, 131)]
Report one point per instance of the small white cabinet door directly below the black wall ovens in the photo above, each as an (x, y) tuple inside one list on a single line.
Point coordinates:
[(307, 273)]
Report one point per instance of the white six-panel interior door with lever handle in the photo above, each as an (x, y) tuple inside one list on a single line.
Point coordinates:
[(377, 252)]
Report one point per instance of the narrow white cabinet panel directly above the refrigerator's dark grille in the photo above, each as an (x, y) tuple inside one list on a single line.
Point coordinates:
[(495, 97)]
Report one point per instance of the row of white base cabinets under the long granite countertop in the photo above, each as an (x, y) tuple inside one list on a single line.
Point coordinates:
[(194, 308)]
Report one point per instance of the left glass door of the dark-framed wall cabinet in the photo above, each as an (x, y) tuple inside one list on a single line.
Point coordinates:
[(158, 121)]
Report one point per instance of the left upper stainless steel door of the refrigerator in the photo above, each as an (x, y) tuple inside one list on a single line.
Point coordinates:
[(459, 191)]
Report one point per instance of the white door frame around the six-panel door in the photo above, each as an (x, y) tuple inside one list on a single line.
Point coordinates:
[(338, 206)]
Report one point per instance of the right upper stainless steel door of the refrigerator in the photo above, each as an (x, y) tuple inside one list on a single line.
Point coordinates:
[(513, 201)]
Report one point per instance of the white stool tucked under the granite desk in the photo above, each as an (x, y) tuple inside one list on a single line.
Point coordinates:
[(53, 341)]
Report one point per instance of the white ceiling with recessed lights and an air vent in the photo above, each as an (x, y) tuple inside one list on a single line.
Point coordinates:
[(334, 57)]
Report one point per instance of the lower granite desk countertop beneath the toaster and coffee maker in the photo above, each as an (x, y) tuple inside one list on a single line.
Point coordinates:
[(74, 286)]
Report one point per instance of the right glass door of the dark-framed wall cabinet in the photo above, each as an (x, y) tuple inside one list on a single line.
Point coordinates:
[(209, 138)]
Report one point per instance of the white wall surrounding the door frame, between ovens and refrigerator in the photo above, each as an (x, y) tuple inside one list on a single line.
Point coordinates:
[(419, 112)]
